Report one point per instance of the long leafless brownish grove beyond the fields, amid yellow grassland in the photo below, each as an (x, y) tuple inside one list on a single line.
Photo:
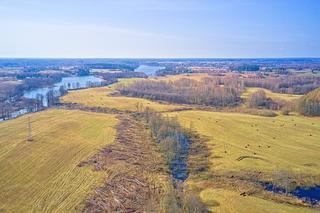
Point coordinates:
[(209, 91)]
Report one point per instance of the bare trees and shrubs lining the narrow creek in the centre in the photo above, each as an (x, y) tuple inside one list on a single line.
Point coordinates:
[(174, 143)]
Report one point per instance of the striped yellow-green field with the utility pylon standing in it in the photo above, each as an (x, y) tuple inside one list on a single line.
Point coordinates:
[(42, 175)]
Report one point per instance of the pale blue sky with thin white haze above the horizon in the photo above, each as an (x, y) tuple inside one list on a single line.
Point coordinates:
[(159, 28)]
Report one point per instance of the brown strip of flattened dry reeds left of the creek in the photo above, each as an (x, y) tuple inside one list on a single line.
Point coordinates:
[(137, 178)]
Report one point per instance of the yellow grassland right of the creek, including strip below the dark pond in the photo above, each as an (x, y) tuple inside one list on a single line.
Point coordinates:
[(242, 146)]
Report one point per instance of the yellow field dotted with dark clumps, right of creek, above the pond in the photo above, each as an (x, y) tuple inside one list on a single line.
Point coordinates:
[(265, 144)]
